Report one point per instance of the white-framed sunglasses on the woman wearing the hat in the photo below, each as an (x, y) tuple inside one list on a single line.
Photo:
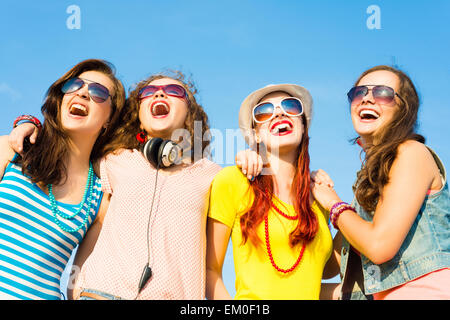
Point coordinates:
[(265, 111)]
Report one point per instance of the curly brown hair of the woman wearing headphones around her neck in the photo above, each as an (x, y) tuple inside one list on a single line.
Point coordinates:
[(125, 136)]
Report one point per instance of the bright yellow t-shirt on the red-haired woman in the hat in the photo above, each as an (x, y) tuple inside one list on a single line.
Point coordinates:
[(256, 278)]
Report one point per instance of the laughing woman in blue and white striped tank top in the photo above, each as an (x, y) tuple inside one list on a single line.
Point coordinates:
[(49, 194)]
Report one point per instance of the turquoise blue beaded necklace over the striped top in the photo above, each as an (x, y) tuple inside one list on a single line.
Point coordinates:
[(56, 212)]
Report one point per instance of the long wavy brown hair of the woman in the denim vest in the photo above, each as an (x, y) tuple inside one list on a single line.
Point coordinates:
[(374, 173)]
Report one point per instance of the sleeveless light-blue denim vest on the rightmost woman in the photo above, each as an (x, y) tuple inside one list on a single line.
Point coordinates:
[(425, 249)]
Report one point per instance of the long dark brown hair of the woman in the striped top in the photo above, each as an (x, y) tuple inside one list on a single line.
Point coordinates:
[(45, 160)]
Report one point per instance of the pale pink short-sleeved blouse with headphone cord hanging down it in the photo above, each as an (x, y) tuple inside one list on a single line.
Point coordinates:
[(177, 230)]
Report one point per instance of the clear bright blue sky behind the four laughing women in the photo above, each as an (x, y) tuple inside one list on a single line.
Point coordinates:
[(232, 48)]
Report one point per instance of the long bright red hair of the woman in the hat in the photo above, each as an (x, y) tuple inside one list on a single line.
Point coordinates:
[(262, 186)]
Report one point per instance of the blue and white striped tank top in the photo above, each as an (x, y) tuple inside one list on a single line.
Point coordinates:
[(34, 250)]
